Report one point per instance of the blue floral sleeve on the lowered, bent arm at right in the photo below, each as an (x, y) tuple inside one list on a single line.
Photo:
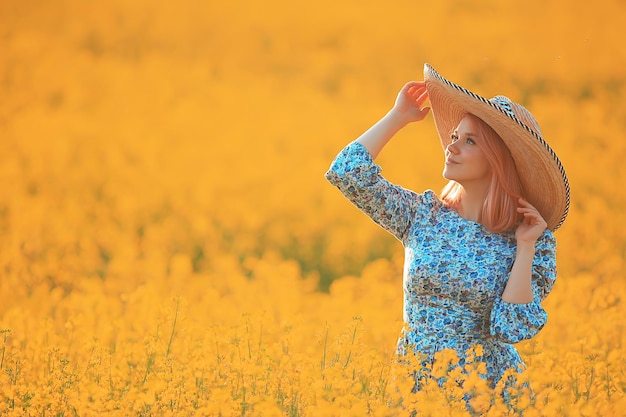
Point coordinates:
[(512, 323)]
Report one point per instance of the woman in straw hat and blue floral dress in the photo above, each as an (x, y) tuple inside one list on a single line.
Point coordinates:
[(479, 259)]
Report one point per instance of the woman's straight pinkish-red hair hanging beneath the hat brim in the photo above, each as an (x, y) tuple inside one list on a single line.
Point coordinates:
[(499, 213)]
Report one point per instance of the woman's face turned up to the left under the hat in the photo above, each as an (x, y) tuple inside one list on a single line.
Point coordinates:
[(466, 162)]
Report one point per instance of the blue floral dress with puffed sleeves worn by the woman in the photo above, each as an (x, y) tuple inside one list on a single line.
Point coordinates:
[(455, 270)]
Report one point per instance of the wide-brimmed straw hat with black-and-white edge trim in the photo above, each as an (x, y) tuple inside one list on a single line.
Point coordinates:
[(543, 178)]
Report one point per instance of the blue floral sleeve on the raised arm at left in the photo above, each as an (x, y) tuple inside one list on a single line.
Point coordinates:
[(359, 179)]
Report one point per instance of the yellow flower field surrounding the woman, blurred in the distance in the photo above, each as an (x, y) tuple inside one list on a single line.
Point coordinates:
[(169, 245)]
